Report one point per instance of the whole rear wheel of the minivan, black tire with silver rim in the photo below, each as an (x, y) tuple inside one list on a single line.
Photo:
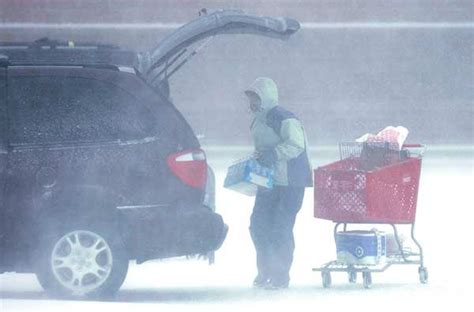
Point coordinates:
[(110, 248)]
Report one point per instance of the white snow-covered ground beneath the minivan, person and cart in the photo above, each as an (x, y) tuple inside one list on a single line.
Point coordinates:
[(444, 216)]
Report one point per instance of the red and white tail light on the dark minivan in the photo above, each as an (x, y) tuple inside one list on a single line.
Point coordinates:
[(190, 167)]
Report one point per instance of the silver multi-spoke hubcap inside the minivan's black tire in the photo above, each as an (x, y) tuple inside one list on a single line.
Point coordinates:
[(81, 261)]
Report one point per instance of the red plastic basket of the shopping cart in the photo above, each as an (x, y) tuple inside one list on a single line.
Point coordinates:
[(345, 193)]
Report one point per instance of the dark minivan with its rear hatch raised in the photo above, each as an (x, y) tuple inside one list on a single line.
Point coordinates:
[(97, 166)]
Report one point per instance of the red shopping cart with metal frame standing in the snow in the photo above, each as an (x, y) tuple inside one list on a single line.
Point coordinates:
[(372, 183)]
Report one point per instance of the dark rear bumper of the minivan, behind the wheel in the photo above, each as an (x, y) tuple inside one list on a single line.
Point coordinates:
[(162, 233)]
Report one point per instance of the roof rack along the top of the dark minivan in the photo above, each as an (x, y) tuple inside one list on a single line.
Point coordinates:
[(45, 51)]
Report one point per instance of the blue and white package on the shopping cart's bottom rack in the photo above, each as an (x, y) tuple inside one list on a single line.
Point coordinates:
[(361, 247)]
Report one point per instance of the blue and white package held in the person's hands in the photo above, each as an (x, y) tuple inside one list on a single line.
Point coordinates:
[(247, 175)]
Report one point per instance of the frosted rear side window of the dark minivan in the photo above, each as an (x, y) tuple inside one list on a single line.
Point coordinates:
[(52, 109)]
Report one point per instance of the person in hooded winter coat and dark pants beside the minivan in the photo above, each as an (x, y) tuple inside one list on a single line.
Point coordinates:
[(280, 143)]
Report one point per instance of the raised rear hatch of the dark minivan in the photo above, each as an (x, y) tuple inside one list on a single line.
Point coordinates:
[(155, 66)]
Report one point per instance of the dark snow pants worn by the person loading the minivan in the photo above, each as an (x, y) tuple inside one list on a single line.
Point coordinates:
[(271, 228)]
